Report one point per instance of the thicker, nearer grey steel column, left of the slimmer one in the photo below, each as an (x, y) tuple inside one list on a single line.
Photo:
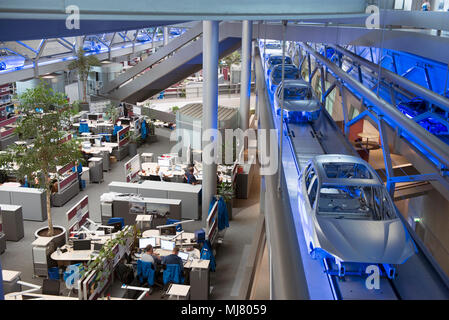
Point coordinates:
[(210, 111)]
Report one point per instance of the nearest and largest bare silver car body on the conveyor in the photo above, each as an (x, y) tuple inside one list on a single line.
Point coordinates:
[(347, 213)]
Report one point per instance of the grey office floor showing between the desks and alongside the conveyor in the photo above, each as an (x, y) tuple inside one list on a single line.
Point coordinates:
[(230, 257)]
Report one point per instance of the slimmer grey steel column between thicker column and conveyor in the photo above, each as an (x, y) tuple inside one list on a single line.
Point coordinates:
[(245, 82)]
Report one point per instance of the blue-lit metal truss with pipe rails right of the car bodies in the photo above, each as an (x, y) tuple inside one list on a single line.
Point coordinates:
[(382, 113)]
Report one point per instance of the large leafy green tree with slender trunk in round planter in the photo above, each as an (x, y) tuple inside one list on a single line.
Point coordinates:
[(44, 120)]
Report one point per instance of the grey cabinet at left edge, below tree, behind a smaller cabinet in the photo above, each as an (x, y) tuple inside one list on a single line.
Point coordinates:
[(32, 200)]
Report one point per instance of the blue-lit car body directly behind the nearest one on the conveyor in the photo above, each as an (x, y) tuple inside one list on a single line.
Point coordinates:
[(300, 102)]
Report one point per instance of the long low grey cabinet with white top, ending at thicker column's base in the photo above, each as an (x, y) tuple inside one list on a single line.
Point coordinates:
[(190, 195)]
